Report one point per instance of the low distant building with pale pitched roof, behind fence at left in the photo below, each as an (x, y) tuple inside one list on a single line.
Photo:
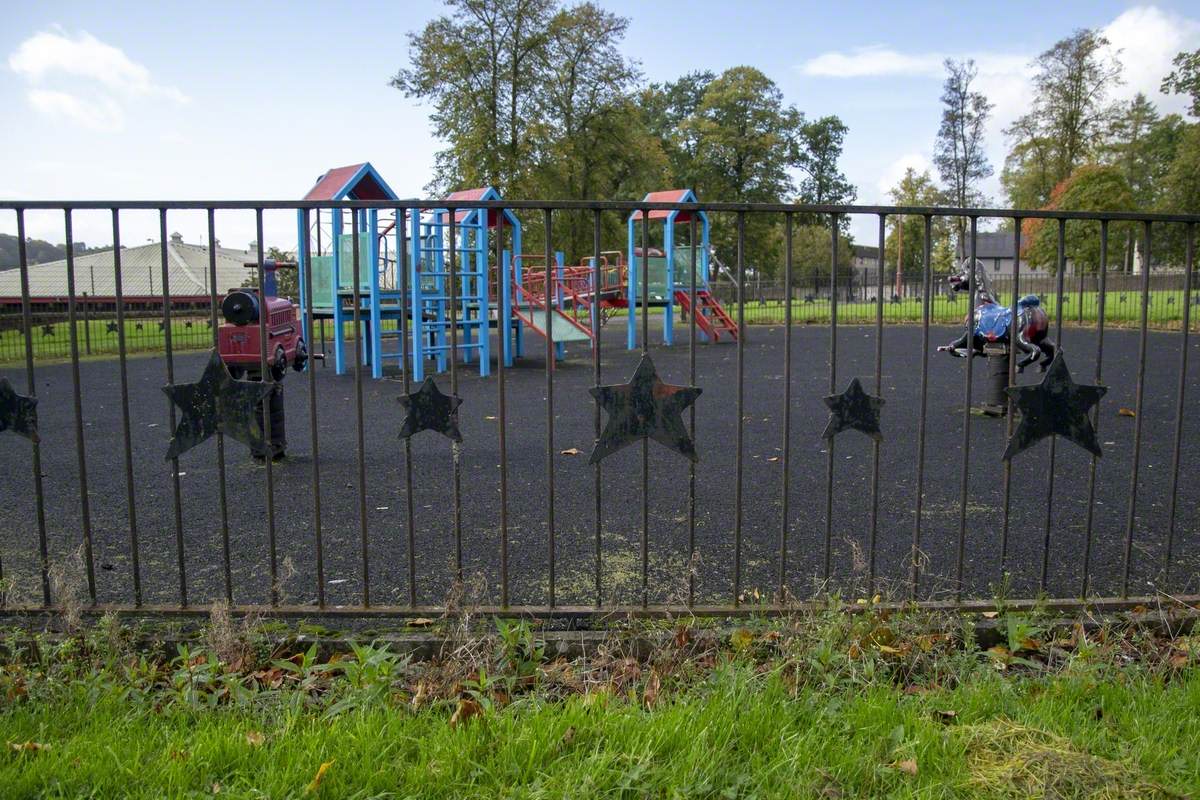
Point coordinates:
[(189, 278)]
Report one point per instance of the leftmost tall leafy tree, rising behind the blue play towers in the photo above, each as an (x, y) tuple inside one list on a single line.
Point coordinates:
[(479, 69)]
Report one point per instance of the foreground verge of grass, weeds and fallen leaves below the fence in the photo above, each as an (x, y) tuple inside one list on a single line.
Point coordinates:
[(767, 712)]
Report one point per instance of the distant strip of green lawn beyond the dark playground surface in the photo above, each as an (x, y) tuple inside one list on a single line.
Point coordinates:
[(52, 341)]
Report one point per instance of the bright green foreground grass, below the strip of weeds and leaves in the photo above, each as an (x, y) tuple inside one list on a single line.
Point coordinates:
[(737, 736)]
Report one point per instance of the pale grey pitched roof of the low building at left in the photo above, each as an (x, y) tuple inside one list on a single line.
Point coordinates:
[(188, 270)]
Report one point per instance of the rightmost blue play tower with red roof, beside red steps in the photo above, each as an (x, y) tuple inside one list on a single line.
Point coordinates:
[(669, 231)]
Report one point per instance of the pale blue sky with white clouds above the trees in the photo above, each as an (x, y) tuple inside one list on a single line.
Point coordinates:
[(232, 100)]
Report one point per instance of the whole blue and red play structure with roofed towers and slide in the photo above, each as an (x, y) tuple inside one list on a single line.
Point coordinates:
[(405, 275)]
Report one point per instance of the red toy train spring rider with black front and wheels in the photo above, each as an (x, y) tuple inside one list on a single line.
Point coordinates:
[(238, 339)]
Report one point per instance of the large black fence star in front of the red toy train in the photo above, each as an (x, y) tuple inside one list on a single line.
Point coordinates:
[(217, 404)]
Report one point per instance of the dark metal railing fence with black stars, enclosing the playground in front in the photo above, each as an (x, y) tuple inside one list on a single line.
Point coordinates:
[(778, 508)]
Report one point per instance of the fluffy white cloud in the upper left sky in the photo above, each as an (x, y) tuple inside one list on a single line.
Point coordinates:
[(80, 79)]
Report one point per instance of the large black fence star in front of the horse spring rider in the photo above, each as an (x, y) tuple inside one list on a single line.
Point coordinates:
[(1057, 406)]
